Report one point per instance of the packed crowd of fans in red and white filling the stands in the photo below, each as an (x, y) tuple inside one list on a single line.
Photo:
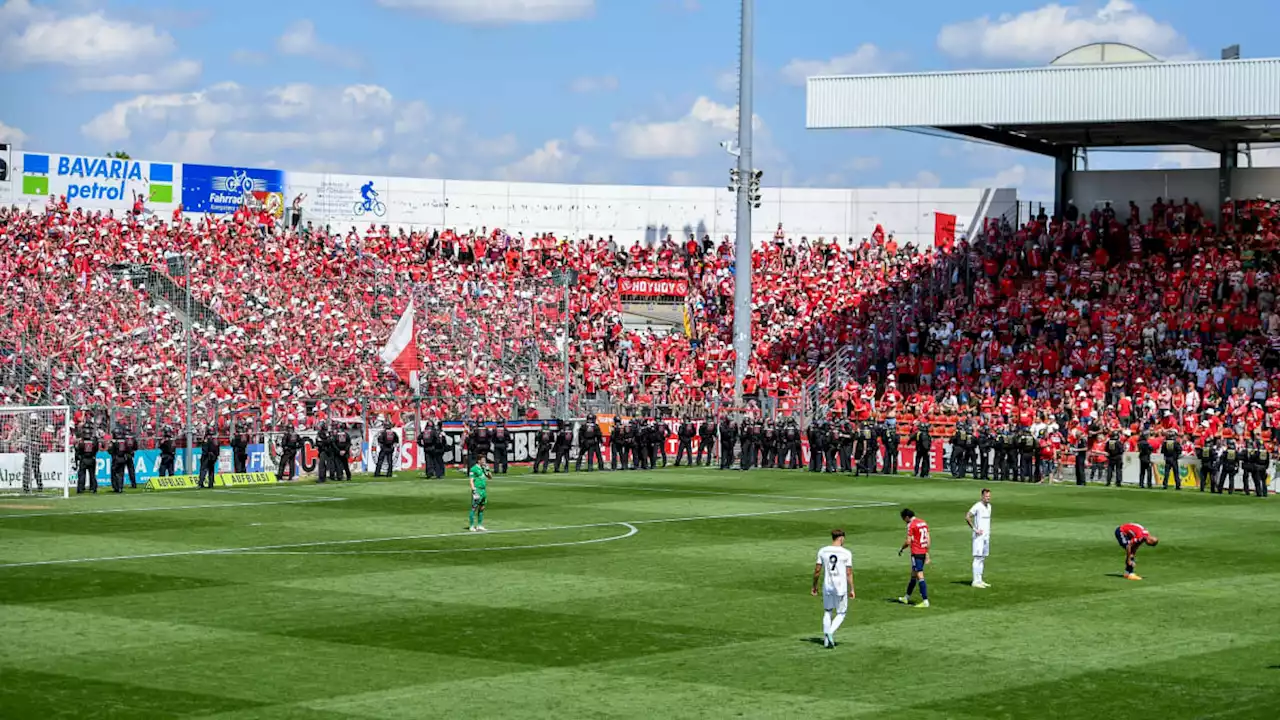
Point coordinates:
[(1090, 321)]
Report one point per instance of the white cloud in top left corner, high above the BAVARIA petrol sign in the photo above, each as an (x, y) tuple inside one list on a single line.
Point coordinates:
[(88, 40)]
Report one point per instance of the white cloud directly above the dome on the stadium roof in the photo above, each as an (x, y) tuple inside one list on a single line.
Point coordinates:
[(1041, 35)]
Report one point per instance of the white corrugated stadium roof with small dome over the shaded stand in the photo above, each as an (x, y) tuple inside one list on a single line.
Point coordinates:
[(1104, 95)]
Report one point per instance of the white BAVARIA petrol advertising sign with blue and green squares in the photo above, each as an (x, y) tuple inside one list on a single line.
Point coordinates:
[(95, 183)]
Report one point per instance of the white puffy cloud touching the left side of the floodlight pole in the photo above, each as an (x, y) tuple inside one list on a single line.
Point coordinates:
[(698, 133)]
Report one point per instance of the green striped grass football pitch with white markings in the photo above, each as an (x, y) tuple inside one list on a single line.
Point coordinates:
[(670, 594)]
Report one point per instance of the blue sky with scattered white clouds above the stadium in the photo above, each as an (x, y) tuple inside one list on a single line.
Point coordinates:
[(620, 92)]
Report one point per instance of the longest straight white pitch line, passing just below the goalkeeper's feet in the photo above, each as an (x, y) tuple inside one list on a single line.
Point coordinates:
[(396, 539)]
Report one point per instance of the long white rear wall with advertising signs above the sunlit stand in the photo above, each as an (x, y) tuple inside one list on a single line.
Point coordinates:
[(629, 213)]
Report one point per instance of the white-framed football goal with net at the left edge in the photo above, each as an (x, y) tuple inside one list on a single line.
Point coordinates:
[(35, 452)]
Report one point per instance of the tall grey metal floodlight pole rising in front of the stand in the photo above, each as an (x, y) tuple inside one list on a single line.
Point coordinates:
[(743, 244)]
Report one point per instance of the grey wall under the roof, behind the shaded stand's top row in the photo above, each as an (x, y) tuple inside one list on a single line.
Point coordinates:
[(1119, 188)]
